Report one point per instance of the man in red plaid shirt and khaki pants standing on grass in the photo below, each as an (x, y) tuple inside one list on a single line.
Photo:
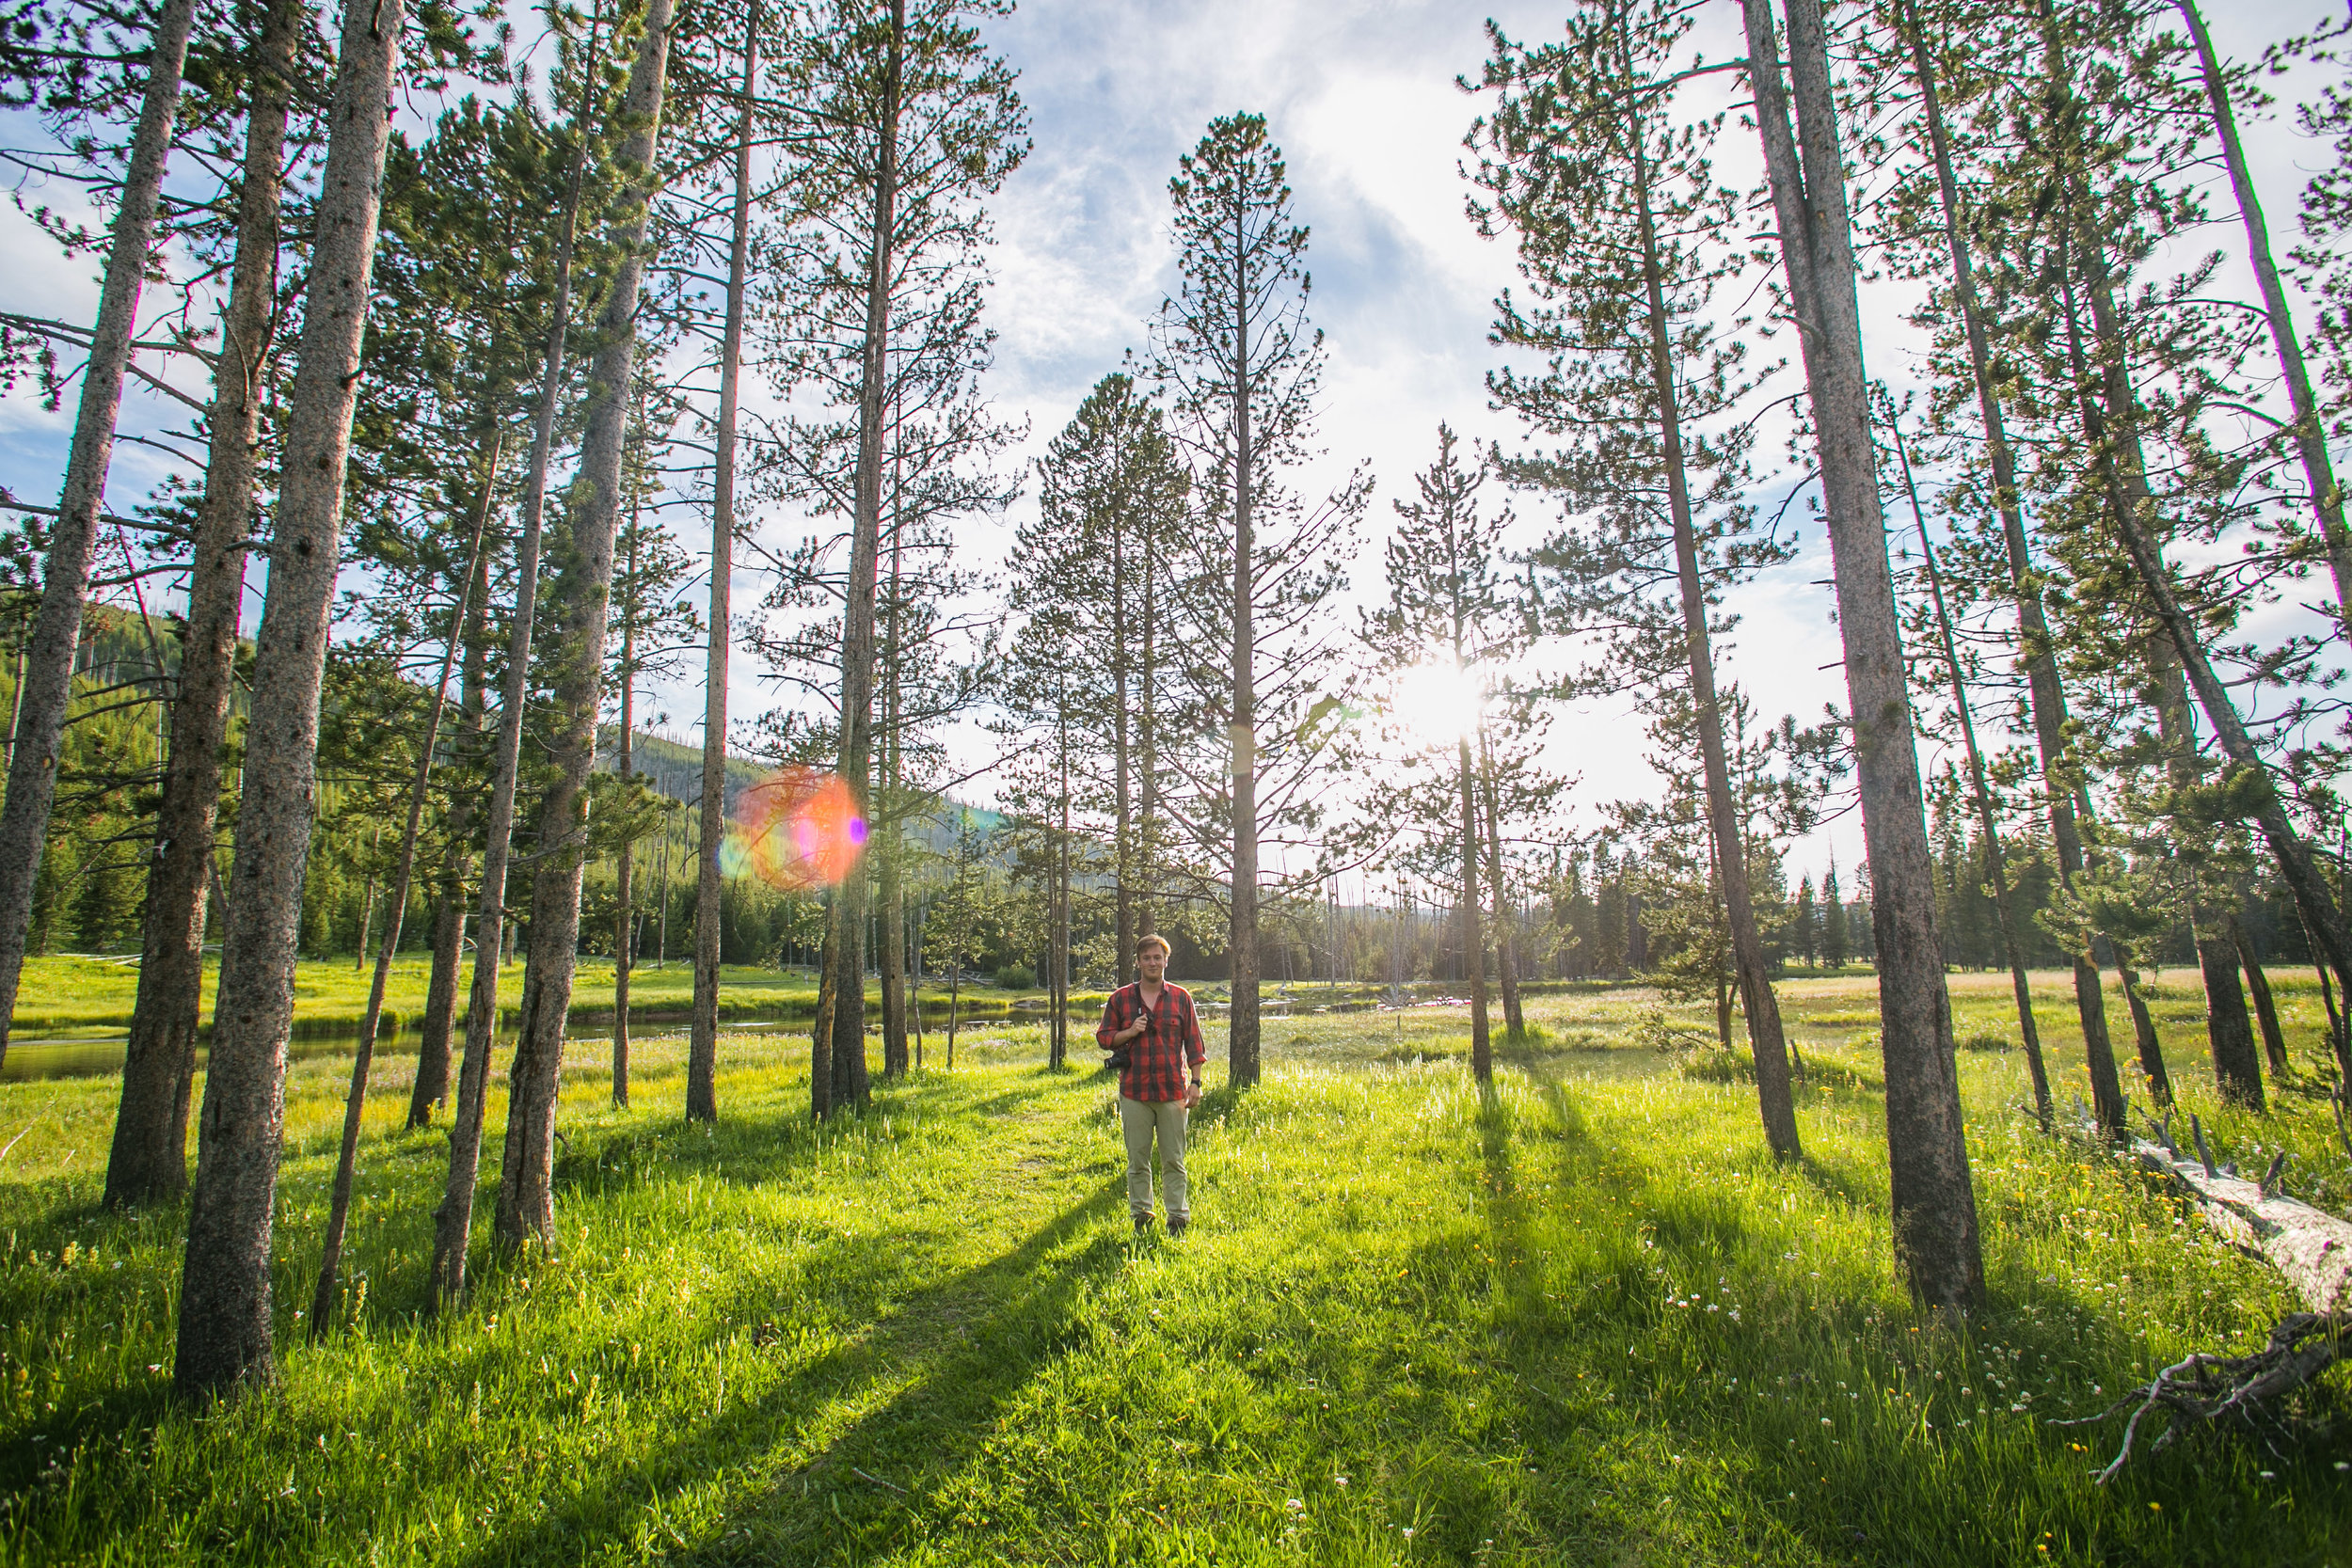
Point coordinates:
[(1158, 1033)]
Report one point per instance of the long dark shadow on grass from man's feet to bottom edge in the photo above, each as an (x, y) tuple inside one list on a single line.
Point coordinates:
[(954, 1351)]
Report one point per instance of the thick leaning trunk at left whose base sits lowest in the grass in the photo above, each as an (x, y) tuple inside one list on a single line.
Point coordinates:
[(225, 1306)]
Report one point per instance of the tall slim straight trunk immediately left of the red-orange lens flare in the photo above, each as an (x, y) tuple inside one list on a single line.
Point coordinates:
[(704, 1033)]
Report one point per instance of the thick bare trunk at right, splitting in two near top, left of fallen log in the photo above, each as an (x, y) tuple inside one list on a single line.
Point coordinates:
[(1935, 1202)]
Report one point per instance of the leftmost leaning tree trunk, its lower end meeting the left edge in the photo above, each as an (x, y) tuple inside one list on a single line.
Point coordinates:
[(46, 685)]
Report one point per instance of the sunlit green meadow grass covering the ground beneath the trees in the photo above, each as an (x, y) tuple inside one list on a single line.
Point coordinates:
[(1579, 1320)]
